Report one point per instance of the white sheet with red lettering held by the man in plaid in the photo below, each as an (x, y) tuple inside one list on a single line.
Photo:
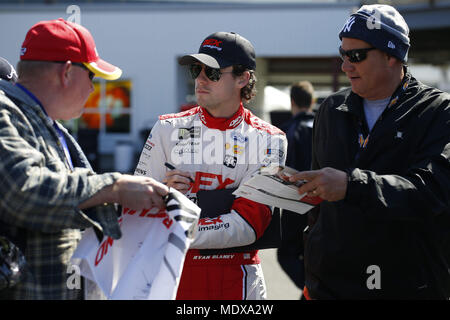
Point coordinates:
[(146, 263)]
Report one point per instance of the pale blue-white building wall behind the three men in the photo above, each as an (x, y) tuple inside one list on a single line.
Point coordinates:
[(145, 42)]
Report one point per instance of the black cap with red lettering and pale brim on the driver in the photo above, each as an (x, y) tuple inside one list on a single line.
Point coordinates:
[(221, 50)]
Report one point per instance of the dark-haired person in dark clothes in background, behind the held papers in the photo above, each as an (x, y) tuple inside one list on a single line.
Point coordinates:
[(299, 136)]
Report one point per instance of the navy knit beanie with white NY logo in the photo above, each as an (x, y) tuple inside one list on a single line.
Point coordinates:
[(381, 26)]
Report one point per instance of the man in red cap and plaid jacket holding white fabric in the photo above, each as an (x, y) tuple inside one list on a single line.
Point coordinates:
[(49, 191)]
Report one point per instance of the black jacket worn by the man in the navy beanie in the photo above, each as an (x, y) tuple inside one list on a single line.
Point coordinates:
[(396, 213)]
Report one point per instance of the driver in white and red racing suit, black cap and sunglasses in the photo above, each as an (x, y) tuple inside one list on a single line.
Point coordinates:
[(217, 146)]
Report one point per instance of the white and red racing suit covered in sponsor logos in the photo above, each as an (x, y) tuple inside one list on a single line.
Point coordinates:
[(219, 153)]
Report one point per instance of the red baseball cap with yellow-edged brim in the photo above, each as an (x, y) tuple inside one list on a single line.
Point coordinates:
[(60, 40)]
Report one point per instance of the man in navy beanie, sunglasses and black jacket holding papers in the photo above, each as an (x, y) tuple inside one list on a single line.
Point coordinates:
[(381, 162)]
